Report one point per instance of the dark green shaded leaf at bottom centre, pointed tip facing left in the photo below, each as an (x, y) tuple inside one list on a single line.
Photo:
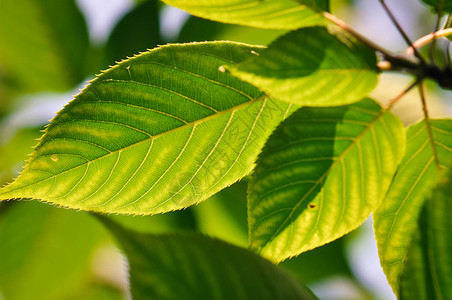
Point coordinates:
[(192, 266)]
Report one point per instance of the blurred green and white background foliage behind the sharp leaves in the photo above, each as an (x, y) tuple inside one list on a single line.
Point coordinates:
[(49, 49)]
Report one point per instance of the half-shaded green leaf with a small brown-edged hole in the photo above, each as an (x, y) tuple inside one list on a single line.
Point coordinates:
[(321, 174)]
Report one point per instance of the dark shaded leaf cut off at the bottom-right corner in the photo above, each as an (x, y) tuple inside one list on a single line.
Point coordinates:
[(427, 271)]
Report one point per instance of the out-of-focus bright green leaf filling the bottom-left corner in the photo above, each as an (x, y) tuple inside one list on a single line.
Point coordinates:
[(45, 252)]
